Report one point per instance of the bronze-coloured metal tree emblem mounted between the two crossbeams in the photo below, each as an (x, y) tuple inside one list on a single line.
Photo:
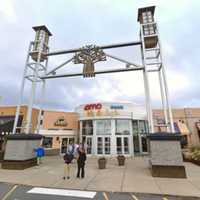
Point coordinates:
[(88, 56)]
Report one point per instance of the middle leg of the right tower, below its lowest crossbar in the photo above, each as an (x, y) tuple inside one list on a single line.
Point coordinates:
[(163, 100)]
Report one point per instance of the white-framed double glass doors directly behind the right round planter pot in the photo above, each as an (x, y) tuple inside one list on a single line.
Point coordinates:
[(122, 145)]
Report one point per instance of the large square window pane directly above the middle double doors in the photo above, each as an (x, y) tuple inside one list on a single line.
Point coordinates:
[(103, 127)]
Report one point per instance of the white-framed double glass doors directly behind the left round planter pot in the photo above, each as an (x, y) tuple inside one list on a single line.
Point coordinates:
[(103, 145)]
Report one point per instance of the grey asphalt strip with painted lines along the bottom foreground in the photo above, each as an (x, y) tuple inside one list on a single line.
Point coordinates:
[(21, 192)]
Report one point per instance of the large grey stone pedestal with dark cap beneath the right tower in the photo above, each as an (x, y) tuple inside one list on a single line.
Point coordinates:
[(166, 158)]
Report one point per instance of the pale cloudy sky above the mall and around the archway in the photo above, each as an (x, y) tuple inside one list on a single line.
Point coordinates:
[(76, 23)]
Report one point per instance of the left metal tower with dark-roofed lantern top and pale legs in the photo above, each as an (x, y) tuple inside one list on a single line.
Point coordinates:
[(37, 51)]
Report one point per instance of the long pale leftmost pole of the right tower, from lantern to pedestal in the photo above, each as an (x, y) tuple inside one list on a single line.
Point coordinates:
[(146, 84)]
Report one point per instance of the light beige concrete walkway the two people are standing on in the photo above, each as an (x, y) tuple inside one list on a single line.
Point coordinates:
[(133, 177)]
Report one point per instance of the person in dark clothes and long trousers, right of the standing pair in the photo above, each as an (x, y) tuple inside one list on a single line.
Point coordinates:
[(81, 162)]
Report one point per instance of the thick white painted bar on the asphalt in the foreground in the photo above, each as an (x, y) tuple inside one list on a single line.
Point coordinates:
[(62, 192)]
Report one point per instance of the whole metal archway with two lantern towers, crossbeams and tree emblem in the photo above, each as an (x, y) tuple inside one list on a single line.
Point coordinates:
[(37, 63)]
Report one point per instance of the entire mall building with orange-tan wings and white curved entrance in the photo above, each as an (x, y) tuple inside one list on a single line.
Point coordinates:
[(105, 128)]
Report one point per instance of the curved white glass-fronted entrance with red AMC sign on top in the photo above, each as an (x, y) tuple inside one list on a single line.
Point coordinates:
[(110, 132)]
